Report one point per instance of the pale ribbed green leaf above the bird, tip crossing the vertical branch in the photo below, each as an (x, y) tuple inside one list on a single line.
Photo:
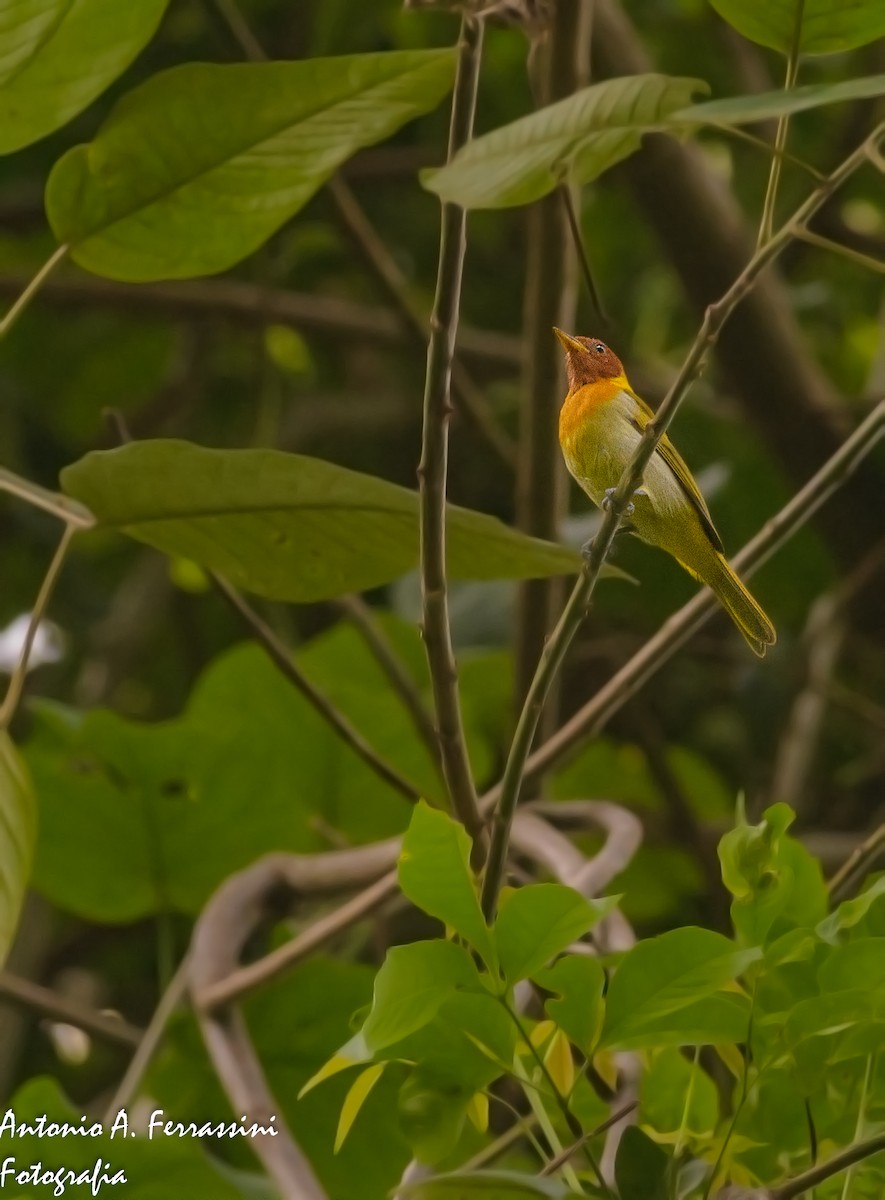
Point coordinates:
[(575, 140)]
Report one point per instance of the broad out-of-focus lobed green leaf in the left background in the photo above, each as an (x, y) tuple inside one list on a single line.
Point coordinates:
[(156, 815)]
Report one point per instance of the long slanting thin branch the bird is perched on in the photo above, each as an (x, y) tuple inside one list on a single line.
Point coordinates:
[(555, 652)]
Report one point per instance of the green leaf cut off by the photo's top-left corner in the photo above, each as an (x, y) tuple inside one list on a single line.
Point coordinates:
[(58, 56)]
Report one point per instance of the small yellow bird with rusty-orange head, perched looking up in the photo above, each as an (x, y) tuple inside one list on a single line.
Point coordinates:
[(600, 427)]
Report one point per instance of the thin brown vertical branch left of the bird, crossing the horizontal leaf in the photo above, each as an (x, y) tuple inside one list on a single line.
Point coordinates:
[(435, 454)]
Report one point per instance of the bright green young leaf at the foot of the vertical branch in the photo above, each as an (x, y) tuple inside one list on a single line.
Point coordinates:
[(436, 875)]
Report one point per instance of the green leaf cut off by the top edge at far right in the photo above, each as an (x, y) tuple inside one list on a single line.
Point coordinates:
[(828, 26)]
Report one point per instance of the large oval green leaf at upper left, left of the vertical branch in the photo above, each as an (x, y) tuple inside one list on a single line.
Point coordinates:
[(200, 166)]
